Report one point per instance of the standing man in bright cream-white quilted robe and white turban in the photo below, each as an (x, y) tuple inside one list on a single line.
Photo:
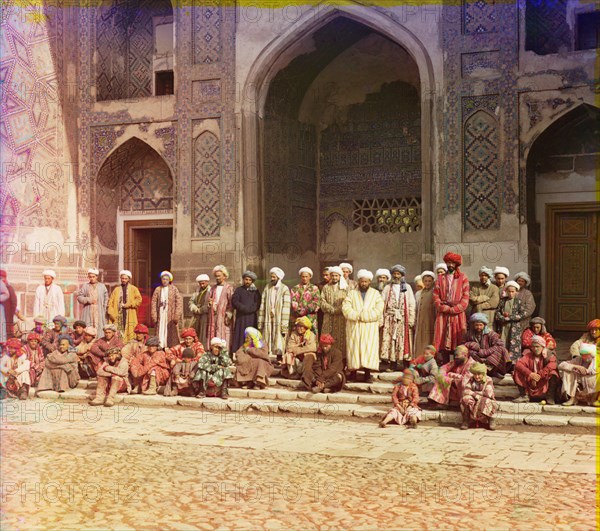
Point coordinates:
[(363, 310)]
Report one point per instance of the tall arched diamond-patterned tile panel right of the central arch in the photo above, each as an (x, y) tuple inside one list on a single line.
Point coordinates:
[(481, 197)]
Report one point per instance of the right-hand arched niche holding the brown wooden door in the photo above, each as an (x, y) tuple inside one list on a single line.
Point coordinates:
[(563, 219)]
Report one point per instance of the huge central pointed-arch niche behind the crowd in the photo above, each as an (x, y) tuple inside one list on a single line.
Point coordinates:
[(337, 125)]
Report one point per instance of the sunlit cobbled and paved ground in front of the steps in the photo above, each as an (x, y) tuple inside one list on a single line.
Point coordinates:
[(67, 466)]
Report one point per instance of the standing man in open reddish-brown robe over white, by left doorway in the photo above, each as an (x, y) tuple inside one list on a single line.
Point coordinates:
[(167, 311)]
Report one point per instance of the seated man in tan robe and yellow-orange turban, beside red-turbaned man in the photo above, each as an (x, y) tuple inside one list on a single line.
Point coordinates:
[(300, 352)]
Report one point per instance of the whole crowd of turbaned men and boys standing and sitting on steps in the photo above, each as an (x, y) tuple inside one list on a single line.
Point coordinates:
[(448, 338)]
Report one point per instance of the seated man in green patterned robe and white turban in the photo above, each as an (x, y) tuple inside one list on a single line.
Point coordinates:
[(214, 370)]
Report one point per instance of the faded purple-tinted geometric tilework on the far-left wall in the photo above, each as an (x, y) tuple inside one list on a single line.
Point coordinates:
[(32, 177)]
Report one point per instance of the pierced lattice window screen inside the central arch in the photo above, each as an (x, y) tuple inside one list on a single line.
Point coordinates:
[(387, 215)]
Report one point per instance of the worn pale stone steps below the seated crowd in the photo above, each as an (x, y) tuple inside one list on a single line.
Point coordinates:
[(320, 406)]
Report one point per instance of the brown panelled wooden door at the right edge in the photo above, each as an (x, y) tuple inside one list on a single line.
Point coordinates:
[(573, 284)]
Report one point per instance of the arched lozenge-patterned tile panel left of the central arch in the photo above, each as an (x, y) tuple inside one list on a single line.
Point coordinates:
[(207, 185)]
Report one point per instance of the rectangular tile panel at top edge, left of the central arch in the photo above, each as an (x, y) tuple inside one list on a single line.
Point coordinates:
[(208, 40)]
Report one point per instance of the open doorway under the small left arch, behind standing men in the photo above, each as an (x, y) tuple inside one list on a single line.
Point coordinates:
[(148, 253)]
